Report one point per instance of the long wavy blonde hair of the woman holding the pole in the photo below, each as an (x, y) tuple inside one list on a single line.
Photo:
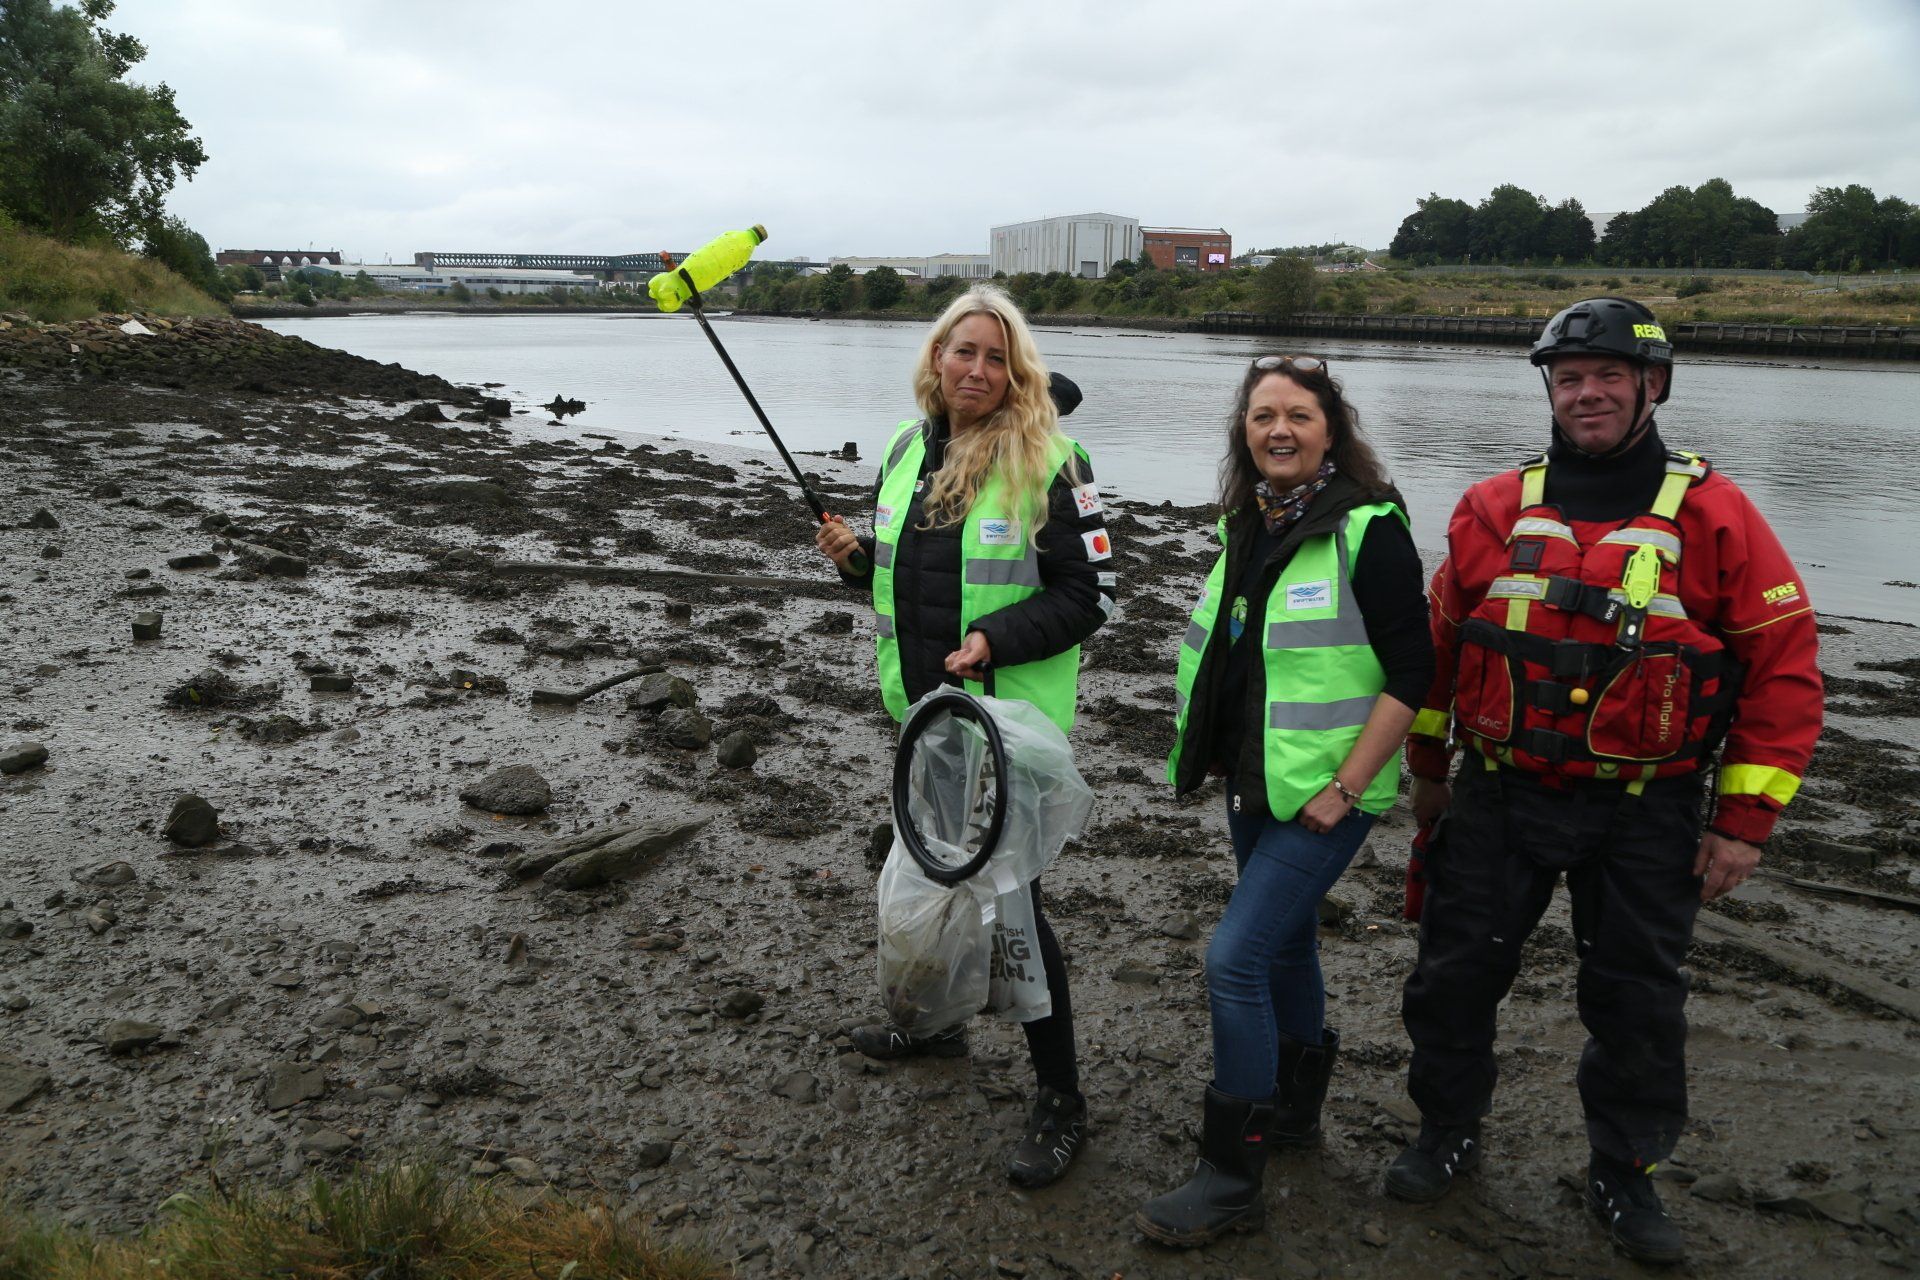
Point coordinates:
[(1017, 440)]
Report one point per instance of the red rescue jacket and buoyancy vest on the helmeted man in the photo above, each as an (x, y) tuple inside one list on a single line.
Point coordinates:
[(1625, 650)]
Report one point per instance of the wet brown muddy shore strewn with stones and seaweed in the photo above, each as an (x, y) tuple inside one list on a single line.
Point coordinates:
[(350, 968)]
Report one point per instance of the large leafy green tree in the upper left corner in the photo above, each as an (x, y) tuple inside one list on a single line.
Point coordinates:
[(82, 151)]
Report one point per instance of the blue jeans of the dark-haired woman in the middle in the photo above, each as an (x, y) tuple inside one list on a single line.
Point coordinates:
[(1262, 966)]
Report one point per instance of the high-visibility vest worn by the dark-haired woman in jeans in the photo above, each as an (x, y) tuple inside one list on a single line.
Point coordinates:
[(1322, 673)]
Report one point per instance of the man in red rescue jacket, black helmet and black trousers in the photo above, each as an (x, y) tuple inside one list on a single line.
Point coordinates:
[(1616, 623)]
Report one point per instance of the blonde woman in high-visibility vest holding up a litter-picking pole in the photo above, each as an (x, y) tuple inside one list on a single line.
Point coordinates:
[(990, 550)]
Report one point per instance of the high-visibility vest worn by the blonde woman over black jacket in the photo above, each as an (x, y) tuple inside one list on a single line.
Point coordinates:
[(999, 567)]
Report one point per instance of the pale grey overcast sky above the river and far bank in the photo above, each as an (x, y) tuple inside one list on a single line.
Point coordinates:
[(383, 128)]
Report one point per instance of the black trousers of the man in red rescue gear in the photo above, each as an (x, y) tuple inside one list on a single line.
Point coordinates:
[(1629, 865)]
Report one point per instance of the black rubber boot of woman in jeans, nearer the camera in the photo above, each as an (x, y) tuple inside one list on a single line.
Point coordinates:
[(1224, 1193)]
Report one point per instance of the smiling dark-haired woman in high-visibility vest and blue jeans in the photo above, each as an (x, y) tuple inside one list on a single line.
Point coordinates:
[(1299, 678)]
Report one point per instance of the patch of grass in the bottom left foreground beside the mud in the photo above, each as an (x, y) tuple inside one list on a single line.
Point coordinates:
[(414, 1221)]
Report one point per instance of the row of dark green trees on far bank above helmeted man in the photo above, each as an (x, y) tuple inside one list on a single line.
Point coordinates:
[(1708, 225)]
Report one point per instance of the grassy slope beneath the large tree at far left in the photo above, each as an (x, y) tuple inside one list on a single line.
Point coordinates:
[(55, 281)]
